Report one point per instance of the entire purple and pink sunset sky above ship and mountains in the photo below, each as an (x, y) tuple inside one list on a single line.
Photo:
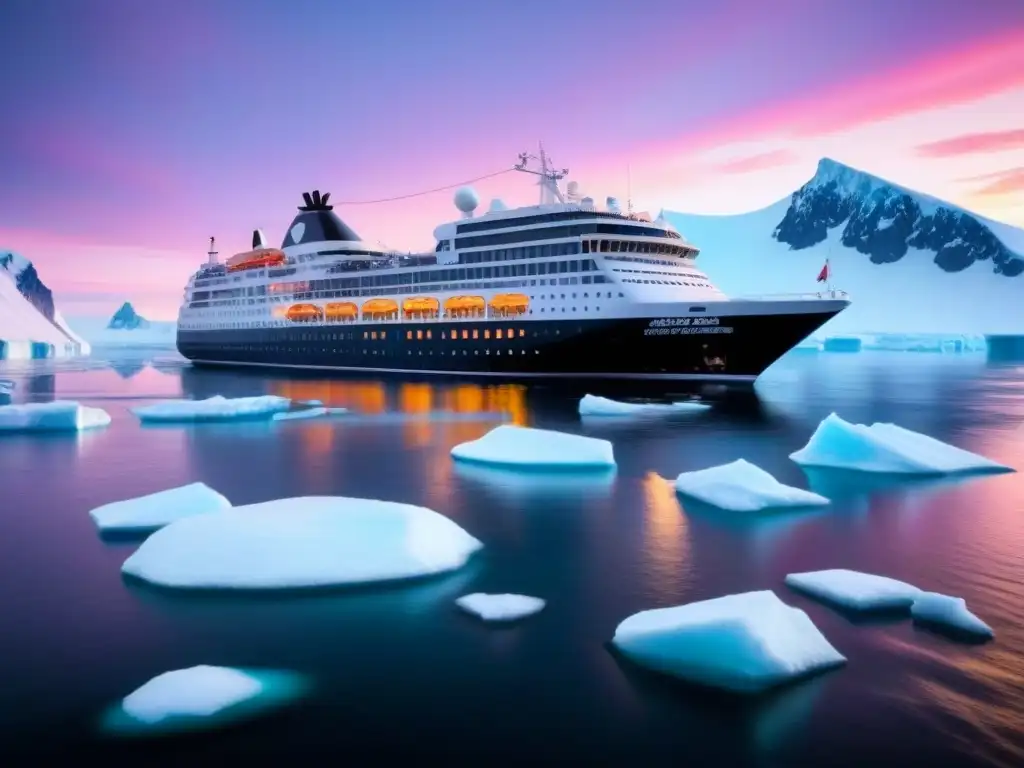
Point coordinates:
[(144, 164)]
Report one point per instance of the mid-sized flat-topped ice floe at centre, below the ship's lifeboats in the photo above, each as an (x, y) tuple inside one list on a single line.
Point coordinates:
[(526, 447)]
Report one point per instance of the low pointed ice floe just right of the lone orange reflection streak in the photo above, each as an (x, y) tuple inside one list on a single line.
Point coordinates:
[(742, 487)]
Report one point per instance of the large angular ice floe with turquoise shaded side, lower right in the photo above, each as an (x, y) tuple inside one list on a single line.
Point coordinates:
[(744, 644)]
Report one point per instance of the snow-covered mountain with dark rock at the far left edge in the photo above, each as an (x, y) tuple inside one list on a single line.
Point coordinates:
[(30, 325)]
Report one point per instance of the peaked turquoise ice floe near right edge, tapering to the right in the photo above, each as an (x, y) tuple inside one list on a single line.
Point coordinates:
[(887, 448)]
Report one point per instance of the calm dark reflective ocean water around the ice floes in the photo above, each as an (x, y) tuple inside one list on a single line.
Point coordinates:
[(401, 674)]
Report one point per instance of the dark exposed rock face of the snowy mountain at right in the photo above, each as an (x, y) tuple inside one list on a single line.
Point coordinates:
[(885, 222)]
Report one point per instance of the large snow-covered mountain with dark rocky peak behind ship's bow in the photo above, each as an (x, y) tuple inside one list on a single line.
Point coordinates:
[(911, 264)]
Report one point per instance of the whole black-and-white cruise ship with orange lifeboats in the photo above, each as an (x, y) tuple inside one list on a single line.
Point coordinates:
[(562, 289)]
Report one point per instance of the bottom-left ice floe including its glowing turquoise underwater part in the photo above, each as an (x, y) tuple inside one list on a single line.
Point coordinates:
[(202, 697)]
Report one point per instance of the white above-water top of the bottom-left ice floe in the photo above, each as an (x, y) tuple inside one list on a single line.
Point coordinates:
[(197, 692)]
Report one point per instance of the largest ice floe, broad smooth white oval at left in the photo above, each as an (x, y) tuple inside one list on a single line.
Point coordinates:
[(302, 543)]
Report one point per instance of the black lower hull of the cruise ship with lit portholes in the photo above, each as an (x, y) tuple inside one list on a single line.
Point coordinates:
[(716, 350)]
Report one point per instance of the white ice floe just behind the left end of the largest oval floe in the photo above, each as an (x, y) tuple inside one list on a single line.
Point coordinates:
[(156, 510)]
